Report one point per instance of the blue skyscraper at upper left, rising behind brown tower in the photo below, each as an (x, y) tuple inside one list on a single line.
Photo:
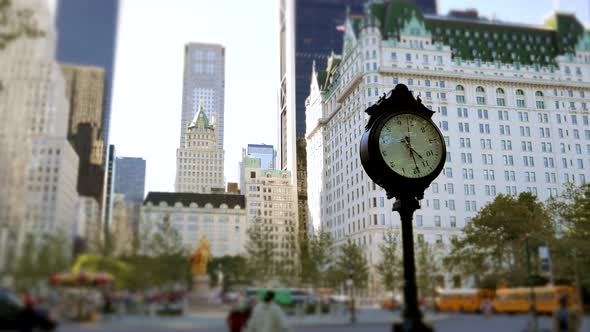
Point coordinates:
[(87, 34)]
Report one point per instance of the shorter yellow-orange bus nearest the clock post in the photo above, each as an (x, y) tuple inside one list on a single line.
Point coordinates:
[(462, 300)]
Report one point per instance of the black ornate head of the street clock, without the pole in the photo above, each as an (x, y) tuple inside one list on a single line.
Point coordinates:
[(402, 150)]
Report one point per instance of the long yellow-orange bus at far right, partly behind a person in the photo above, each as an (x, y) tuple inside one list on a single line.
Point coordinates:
[(518, 300)]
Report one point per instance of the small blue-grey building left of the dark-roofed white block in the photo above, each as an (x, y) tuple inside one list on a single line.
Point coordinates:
[(130, 178)]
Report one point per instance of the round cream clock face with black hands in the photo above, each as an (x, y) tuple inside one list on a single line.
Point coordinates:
[(411, 145)]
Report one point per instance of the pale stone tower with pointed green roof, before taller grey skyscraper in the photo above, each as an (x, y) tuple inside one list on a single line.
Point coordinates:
[(199, 161)]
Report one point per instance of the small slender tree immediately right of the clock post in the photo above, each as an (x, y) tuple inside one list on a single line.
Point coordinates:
[(427, 269)]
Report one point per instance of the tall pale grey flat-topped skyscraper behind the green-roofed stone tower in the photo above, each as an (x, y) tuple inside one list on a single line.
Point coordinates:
[(204, 83)]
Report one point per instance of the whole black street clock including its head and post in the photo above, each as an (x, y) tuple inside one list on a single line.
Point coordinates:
[(403, 151)]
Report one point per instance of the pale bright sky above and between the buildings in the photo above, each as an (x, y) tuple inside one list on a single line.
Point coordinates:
[(147, 89)]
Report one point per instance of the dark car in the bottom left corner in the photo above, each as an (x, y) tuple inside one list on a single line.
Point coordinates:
[(17, 316)]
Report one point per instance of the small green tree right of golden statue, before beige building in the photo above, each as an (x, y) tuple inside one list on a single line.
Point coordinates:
[(259, 255)]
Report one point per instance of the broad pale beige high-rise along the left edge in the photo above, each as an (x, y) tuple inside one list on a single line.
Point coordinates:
[(38, 167)]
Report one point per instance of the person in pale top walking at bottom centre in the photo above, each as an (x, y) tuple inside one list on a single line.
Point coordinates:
[(267, 316)]
